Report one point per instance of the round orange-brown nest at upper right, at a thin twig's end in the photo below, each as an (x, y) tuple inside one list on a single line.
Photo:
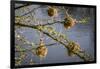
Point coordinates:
[(69, 22)]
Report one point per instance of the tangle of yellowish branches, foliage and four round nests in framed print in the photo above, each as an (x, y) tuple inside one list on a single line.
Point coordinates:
[(41, 49)]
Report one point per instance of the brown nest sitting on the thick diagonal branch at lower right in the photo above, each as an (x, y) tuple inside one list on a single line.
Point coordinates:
[(73, 47)]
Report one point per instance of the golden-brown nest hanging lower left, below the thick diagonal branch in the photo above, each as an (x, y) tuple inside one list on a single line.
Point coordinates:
[(41, 50)]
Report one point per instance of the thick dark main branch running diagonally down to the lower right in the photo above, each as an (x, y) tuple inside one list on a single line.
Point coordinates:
[(80, 54)]
